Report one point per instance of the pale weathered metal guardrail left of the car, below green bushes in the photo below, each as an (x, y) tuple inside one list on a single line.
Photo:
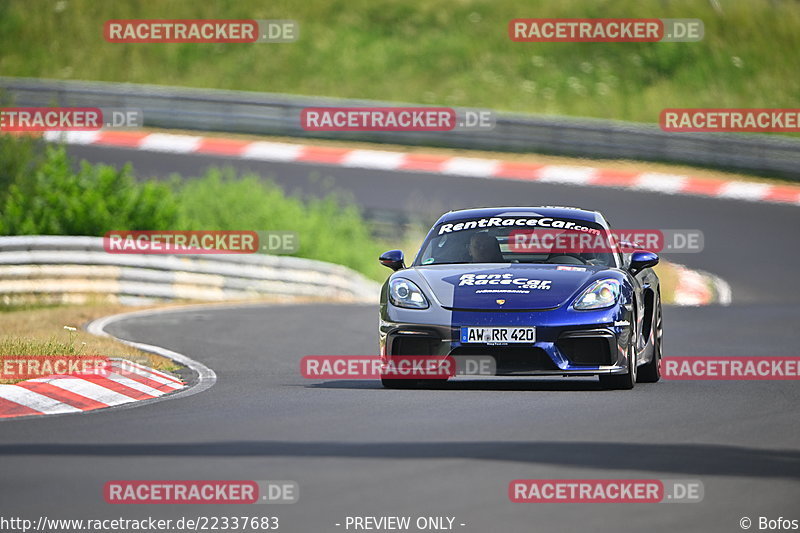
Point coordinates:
[(64, 266)]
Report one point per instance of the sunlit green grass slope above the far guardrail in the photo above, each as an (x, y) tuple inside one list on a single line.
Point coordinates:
[(441, 52)]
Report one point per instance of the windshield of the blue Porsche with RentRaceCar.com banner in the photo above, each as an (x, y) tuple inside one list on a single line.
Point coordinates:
[(518, 240)]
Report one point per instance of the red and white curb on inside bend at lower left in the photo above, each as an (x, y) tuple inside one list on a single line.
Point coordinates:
[(126, 382)]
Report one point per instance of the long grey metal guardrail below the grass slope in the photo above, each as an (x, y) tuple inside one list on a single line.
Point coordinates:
[(275, 114)]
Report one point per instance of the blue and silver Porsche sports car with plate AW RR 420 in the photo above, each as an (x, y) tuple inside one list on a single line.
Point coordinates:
[(474, 290)]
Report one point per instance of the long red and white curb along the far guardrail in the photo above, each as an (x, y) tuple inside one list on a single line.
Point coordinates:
[(437, 164)]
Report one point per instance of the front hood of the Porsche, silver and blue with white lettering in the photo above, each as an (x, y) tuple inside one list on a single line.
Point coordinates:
[(512, 287)]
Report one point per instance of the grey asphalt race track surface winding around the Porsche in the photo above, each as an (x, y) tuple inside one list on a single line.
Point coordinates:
[(358, 450)]
